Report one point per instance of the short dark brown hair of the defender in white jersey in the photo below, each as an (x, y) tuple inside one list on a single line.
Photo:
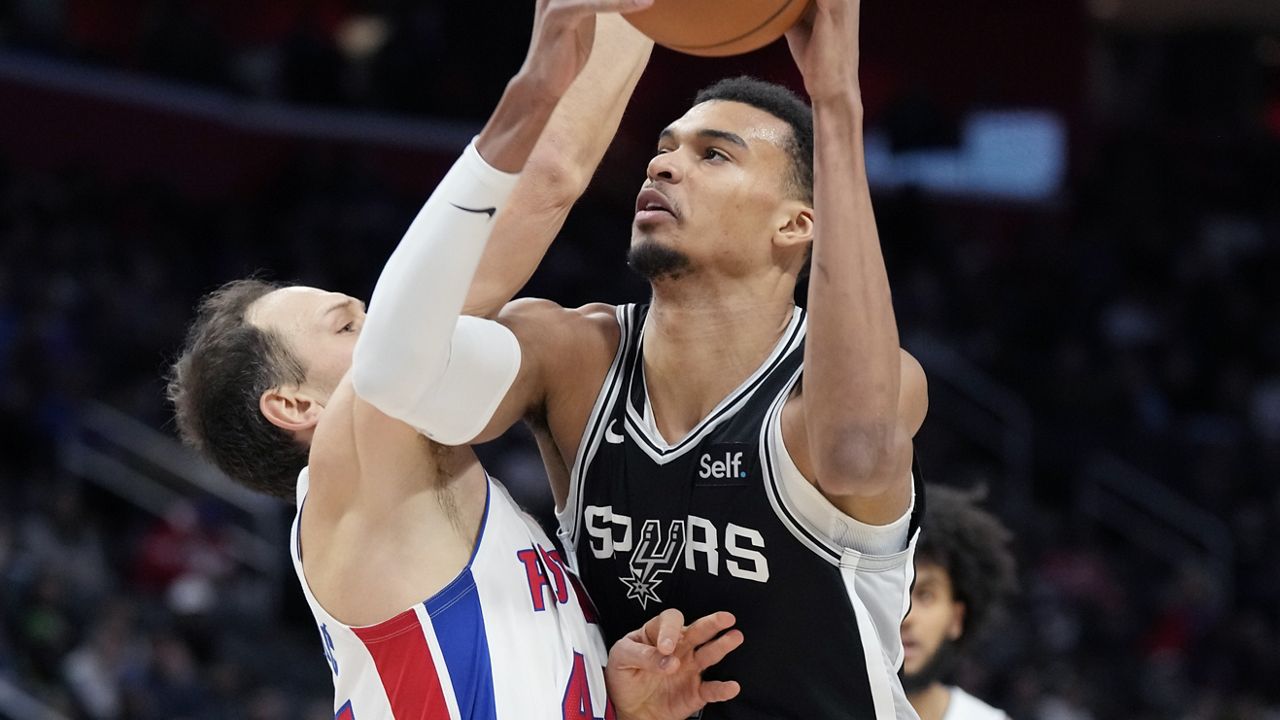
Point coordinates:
[(226, 367)]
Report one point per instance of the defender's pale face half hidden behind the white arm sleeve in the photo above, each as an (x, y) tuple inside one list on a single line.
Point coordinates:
[(319, 327)]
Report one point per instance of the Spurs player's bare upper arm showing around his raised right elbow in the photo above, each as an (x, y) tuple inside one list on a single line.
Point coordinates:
[(883, 496)]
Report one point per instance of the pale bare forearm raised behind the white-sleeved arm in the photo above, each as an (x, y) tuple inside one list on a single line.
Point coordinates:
[(561, 165)]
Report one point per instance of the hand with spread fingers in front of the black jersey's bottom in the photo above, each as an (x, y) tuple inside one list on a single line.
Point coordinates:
[(656, 673)]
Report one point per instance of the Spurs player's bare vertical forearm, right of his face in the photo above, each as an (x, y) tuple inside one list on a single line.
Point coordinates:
[(852, 354)]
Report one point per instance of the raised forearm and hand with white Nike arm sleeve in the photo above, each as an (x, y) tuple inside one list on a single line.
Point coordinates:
[(417, 361)]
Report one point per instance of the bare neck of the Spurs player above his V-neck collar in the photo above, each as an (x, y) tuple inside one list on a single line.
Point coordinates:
[(700, 347)]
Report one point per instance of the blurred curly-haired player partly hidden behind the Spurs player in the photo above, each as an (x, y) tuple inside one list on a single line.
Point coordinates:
[(964, 571)]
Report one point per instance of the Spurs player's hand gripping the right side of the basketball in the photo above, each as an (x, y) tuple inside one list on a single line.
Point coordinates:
[(826, 49)]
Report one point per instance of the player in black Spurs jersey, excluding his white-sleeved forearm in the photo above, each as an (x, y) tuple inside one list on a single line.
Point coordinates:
[(721, 448)]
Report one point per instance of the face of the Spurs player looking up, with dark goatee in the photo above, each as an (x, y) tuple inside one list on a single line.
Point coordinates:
[(717, 189)]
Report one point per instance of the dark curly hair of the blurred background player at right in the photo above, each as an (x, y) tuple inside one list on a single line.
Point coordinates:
[(972, 546)]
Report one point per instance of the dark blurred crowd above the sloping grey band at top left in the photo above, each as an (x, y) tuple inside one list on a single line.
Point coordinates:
[(339, 53)]
